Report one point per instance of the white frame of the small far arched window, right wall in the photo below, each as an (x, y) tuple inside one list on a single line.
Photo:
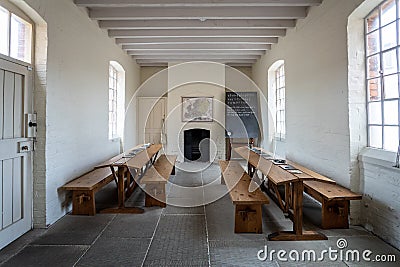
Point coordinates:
[(279, 74)]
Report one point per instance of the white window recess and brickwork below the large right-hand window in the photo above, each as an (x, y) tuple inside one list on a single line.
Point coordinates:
[(377, 179)]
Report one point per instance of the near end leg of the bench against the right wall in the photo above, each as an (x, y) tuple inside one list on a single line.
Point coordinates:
[(335, 214)]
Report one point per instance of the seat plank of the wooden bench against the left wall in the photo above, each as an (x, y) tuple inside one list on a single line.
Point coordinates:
[(92, 180)]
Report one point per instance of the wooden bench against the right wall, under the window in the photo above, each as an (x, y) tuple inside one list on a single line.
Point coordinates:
[(335, 201)]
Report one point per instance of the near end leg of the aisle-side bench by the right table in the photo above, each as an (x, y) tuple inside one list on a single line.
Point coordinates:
[(248, 219)]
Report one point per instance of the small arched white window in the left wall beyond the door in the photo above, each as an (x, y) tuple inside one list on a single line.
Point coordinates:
[(116, 100)]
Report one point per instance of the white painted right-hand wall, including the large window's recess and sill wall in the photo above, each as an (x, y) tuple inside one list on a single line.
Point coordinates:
[(326, 113)]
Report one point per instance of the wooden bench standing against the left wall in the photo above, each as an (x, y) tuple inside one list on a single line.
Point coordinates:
[(84, 187)]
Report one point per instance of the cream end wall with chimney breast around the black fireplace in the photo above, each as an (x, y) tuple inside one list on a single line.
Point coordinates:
[(195, 79)]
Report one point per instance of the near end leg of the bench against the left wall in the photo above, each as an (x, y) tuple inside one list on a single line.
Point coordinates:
[(83, 203)]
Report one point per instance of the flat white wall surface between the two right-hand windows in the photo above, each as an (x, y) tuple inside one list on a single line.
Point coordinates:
[(315, 55)]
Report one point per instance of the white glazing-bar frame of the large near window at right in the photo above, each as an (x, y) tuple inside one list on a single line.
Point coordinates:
[(381, 75)]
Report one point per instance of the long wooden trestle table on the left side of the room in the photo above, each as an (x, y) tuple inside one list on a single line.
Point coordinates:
[(131, 167)]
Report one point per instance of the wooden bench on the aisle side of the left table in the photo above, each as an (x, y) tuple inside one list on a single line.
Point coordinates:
[(156, 179)]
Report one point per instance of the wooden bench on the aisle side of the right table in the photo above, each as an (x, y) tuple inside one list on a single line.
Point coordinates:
[(248, 213)]
